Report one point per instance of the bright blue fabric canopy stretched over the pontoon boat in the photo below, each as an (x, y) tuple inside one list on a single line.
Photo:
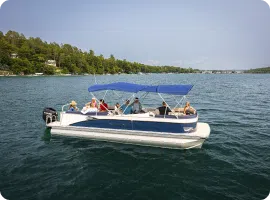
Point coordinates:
[(134, 88)]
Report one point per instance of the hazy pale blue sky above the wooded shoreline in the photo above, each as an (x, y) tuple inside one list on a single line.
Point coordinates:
[(202, 34)]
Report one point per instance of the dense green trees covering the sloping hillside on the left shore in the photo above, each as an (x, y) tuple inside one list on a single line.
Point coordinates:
[(32, 54)]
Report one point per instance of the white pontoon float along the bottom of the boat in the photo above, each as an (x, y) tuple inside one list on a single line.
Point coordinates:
[(155, 139)]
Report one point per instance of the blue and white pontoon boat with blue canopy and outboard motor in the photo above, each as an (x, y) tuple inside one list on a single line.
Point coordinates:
[(148, 128)]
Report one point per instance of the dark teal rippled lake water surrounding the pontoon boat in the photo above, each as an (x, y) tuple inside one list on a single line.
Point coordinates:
[(234, 162)]
